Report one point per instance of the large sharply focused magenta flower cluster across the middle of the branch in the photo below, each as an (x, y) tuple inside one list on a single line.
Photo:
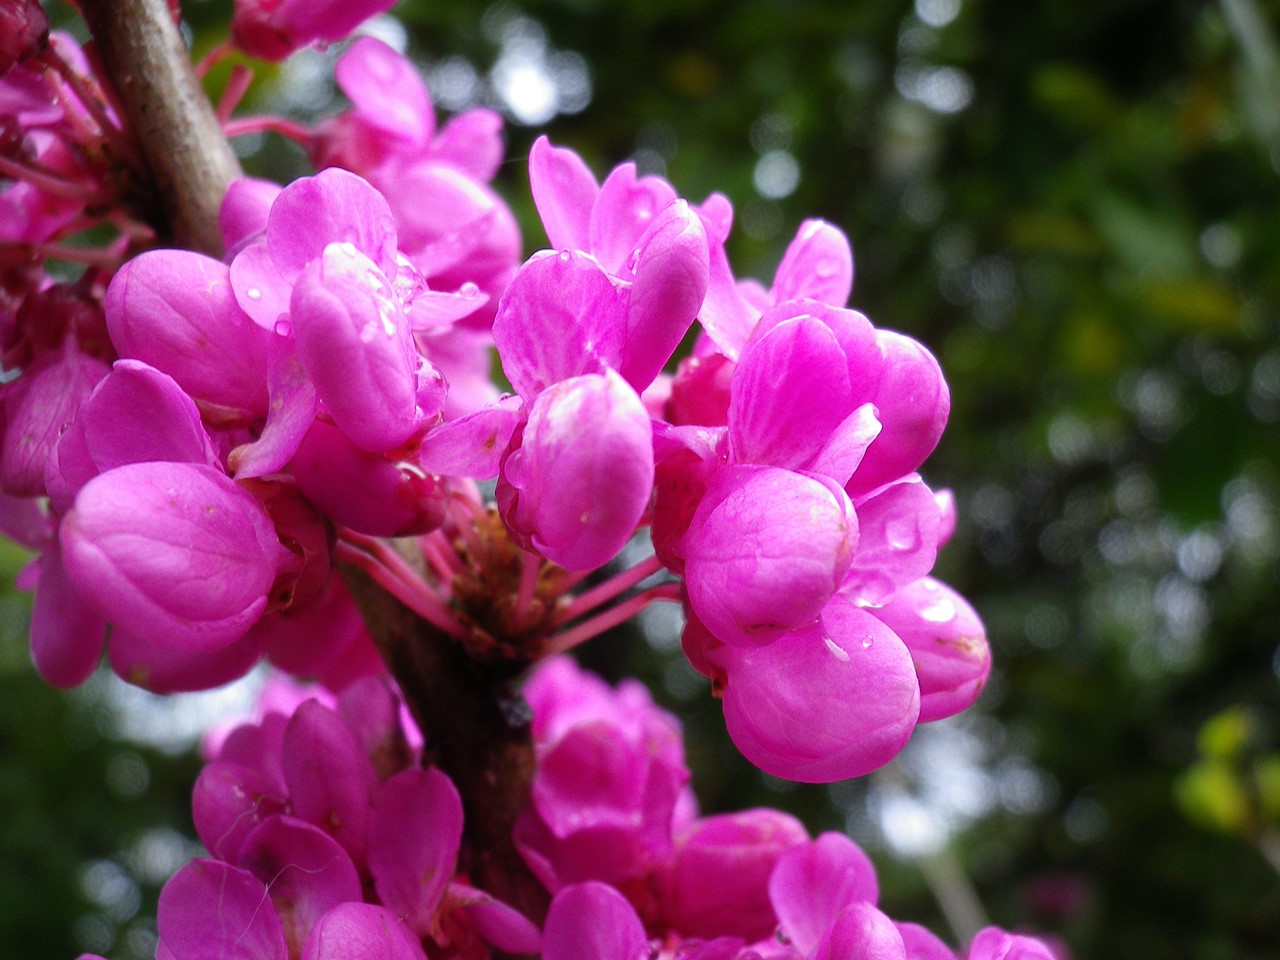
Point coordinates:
[(196, 447)]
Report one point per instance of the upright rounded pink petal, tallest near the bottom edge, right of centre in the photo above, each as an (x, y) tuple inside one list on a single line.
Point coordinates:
[(815, 883)]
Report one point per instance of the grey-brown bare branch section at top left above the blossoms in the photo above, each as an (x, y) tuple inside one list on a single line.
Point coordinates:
[(190, 161)]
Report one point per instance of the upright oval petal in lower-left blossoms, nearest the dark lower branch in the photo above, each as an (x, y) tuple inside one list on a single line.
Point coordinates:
[(414, 838)]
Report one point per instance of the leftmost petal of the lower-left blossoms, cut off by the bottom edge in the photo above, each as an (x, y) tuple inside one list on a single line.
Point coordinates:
[(212, 911)]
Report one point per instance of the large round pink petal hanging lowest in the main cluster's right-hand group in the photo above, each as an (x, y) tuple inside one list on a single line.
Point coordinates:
[(828, 703)]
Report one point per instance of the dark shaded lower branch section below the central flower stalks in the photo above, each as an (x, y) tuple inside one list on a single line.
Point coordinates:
[(476, 730)]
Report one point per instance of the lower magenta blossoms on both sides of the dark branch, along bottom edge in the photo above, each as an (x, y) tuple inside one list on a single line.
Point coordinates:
[(326, 840)]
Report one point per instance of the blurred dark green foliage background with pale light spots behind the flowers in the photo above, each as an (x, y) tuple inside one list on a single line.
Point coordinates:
[(1077, 207)]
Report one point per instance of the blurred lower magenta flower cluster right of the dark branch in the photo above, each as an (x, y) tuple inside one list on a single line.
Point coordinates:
[(637, 872)]
